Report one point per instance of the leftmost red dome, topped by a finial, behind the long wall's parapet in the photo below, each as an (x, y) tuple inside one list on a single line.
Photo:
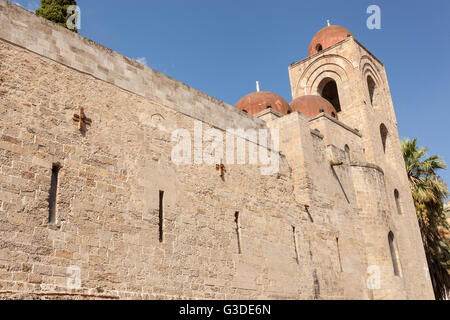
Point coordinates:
[(256, 102)]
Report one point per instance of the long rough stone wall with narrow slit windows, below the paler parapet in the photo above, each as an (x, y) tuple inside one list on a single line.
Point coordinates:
[(108, 191)]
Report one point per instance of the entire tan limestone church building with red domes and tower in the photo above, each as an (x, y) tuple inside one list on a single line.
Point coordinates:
[(104, 213)]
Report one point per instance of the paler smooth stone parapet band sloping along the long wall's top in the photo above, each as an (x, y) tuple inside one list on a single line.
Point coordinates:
[(43, 37)]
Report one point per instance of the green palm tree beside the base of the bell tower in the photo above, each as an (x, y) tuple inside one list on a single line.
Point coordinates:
[(429, 195)]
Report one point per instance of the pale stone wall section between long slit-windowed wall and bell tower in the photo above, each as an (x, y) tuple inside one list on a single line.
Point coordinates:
[(328, 193)]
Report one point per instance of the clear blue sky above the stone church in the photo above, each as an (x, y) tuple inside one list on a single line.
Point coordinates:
[(223, 47)]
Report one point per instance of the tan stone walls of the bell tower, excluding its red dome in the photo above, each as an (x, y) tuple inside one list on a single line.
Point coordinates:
[(350, 64)]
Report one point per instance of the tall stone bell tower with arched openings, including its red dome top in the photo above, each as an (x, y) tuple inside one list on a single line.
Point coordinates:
[(342, 71)]
